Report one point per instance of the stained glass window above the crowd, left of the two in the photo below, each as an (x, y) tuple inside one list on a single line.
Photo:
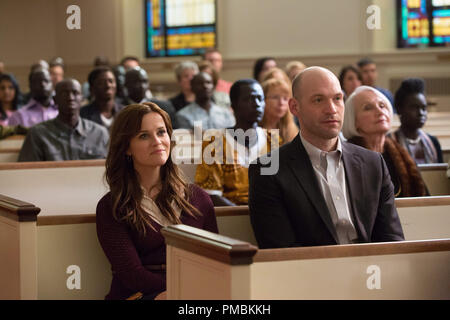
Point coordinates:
[(180, 27)]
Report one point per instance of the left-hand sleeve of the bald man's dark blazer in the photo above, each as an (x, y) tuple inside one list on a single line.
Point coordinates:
[(269, 218)]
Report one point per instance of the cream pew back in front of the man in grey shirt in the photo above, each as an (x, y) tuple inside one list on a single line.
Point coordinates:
[(52, 185)]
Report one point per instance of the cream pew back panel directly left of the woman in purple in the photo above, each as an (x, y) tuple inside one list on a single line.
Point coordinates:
[(76, 246)]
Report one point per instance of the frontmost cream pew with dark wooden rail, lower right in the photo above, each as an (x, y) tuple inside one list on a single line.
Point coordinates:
[(203, 265)]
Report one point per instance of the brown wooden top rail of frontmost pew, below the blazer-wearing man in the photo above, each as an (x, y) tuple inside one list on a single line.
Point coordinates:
[(352, 250)]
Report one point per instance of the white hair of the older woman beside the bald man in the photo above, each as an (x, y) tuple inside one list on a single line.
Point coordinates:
[(349, 127)]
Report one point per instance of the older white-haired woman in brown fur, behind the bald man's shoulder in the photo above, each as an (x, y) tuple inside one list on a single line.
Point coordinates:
[(367, 120)]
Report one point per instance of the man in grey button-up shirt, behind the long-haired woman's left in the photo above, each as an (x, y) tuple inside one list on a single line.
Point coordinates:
[(68, 136)]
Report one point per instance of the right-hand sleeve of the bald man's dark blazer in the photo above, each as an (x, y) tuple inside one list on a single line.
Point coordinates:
[(387, 225)]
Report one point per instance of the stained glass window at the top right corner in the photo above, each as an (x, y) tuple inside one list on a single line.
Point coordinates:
[(423, 23)]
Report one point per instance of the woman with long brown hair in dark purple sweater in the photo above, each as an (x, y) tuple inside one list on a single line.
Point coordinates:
[(147, 193)]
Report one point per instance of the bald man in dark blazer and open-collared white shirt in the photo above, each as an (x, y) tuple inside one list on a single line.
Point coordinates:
[(326, 191)]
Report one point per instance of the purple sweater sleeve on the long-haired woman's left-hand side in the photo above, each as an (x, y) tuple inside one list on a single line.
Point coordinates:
[(115, 239)]
